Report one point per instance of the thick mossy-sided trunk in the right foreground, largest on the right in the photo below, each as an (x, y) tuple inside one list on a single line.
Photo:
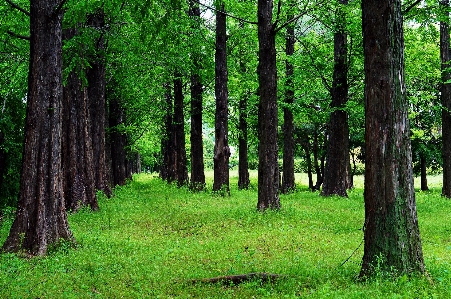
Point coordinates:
[(391, 233)]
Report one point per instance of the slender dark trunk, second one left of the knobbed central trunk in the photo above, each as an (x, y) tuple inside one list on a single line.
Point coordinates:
[(179, 160)]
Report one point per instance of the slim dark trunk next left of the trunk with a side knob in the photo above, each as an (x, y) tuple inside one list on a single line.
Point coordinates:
[(197, 146)]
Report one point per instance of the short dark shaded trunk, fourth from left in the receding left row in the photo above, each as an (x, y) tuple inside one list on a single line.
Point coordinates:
[(118, 142)]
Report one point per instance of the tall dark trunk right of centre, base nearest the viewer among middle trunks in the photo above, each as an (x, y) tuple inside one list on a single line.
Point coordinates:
[(268, 168)]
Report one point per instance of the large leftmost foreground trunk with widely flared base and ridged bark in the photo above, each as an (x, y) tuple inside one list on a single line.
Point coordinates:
[(41, 219)]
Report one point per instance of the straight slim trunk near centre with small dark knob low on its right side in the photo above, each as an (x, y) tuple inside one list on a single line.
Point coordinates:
[(221, 150)]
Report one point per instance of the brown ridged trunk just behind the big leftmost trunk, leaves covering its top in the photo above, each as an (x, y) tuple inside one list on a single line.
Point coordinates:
[(77, 153)]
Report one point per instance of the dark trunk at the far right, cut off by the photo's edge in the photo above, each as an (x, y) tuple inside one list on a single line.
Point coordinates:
[(445, 94)]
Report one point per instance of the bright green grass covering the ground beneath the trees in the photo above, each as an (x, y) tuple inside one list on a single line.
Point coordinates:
[(151, 239)]
